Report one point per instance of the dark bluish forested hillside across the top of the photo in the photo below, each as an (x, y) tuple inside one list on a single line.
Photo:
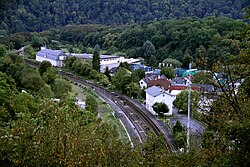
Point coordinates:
[(35, 15)]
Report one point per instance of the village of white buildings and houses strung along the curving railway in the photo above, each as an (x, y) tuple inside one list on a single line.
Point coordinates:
[(158, 88)]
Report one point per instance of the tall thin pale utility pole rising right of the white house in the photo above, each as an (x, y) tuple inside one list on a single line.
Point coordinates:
[(189, 92)]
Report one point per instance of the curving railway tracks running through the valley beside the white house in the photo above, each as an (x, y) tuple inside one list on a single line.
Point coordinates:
[(141, 121)]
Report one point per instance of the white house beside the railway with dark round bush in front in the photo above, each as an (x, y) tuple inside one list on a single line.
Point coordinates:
[(155, 94)]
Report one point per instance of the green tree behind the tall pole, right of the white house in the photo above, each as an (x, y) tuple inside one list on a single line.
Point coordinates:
[(181, 101)]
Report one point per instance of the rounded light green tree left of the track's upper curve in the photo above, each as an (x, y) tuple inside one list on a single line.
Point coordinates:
[(60, 87)]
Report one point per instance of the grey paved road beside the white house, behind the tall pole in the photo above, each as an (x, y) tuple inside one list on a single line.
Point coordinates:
[(195, 126)]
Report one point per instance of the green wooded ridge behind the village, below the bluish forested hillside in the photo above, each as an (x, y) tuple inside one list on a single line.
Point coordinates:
[(208, 40)]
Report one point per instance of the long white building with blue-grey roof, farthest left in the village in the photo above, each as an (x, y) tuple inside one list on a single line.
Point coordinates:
[(55, 57)]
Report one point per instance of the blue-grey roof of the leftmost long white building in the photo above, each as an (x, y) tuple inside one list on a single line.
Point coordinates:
[(51, 54)]
